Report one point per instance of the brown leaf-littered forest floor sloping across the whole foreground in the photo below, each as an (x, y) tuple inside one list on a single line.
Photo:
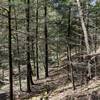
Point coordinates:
[(56, 87)]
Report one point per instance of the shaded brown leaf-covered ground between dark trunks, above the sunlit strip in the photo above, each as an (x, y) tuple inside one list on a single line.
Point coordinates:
[(56, 79)]
